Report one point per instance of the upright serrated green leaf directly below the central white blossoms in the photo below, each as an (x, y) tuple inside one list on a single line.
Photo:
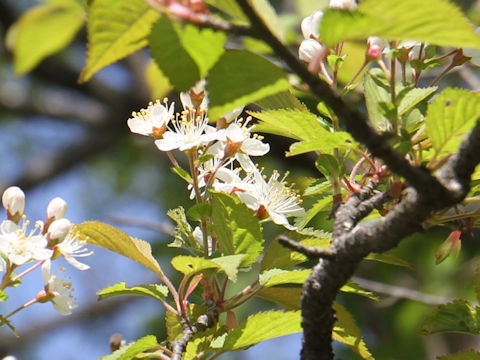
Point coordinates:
[(237, 228)]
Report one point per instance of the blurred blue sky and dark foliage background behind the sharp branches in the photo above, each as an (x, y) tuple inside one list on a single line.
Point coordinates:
[(62, 138)]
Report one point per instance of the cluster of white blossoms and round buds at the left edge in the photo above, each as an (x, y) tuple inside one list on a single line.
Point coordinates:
[(21, 244)]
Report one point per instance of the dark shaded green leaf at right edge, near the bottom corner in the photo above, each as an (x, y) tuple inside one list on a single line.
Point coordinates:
[(457, 316)]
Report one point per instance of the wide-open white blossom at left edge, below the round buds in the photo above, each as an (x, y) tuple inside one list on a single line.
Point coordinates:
[(20, 247)]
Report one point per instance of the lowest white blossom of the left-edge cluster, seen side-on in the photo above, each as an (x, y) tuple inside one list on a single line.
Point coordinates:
[(58, 290)]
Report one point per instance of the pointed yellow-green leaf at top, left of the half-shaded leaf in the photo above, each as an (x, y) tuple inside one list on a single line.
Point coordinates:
[(115, 29)]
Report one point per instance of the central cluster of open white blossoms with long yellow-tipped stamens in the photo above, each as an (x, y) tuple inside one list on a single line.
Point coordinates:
[(219, 156)]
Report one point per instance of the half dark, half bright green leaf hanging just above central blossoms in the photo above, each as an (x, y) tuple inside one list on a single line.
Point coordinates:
[(184, 53)]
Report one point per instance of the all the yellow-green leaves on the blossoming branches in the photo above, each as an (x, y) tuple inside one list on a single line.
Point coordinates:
[(427, 131)]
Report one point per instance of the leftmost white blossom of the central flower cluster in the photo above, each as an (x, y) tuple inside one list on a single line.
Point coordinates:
[(152, 121)]
